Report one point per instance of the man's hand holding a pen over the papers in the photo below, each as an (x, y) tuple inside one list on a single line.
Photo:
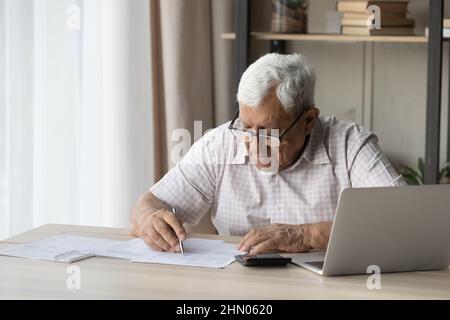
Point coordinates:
[(160, 230)]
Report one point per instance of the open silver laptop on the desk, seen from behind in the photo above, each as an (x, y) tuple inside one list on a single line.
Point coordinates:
[(395, 229)]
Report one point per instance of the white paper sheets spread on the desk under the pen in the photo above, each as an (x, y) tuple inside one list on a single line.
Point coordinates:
[(70, 248)]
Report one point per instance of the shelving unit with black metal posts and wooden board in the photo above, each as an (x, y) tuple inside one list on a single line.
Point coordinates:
[(434, 77)]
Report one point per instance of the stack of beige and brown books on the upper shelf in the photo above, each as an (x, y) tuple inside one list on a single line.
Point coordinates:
[(356, 19)]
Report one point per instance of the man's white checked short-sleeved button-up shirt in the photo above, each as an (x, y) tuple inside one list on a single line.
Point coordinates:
[(215, 175)]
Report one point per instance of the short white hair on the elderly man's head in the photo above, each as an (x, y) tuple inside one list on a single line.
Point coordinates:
[(292, 76)]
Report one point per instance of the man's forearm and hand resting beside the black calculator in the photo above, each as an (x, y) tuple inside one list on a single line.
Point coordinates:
[(287, 238)]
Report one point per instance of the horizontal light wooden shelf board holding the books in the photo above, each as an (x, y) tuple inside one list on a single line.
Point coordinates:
[(330, 37)]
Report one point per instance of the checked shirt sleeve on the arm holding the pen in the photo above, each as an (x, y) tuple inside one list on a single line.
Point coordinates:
[(190, 185)]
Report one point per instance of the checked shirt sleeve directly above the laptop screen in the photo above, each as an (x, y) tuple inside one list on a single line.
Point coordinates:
[(370, 167)]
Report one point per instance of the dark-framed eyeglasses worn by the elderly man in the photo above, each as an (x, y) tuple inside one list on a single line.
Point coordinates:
[(273, 138)]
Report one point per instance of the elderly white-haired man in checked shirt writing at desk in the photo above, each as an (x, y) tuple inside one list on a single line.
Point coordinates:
[(273, 174)]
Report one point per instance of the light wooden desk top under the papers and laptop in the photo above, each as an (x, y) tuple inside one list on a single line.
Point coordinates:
[(104, 278)]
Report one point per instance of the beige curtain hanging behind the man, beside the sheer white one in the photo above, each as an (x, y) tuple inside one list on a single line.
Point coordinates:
[(192, 69)]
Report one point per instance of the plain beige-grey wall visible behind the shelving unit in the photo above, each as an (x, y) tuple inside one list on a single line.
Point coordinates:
[(379, 85)]
